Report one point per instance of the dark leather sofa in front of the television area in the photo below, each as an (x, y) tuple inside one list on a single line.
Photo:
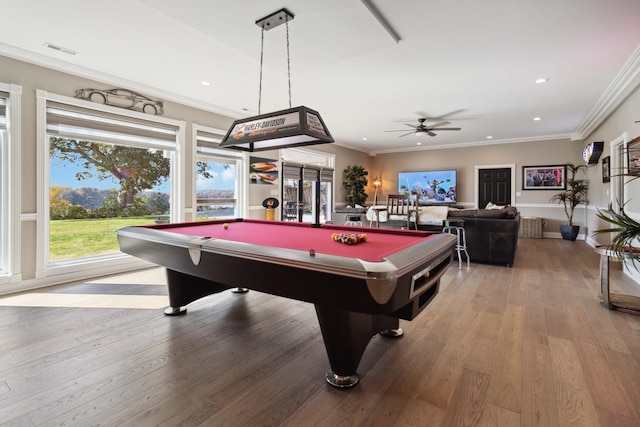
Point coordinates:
[(492, 234)]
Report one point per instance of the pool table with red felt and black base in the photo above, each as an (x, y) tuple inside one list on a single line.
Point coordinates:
[(358, 290)]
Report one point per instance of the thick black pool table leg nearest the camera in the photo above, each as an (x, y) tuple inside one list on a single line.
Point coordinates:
[(346, 335)]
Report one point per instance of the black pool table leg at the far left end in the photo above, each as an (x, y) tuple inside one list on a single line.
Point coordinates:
[(184, 288)]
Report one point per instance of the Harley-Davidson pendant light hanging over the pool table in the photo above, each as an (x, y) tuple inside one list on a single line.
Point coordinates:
[(293, 127)]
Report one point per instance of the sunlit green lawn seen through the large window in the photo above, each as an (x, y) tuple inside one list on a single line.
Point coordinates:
[(78, 238)]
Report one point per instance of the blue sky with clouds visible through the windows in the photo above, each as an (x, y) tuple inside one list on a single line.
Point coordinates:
[(62, 173)]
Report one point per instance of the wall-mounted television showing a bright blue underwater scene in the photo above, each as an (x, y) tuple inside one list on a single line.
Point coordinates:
[(432, 187)]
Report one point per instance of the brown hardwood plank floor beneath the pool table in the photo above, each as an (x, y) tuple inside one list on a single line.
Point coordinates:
[(523, 346)]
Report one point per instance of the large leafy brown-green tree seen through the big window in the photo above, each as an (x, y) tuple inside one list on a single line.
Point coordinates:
[(136, 169)]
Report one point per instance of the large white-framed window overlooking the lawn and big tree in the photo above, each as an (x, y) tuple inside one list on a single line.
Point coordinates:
[(104, 169)]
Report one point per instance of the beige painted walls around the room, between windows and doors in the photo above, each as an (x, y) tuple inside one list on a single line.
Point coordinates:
[(531, 203)]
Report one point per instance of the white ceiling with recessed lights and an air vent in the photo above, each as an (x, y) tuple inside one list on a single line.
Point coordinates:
[(472, 61)]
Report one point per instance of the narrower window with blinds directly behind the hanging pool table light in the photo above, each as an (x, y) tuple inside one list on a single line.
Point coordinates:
[(217, 177)]
